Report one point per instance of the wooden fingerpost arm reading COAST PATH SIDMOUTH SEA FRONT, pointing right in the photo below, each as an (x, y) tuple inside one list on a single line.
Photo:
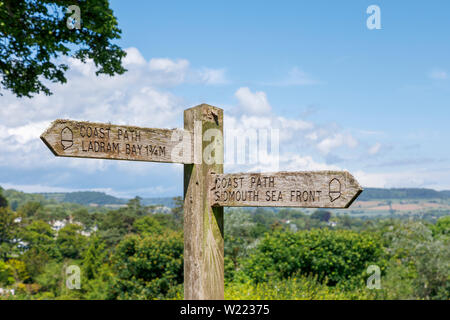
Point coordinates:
[(313, 189)]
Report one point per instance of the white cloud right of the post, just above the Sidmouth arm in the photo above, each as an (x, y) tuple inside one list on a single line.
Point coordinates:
[(298, 141)]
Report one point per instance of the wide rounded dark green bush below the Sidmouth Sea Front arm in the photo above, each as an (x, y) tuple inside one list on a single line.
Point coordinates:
[(333, 255)]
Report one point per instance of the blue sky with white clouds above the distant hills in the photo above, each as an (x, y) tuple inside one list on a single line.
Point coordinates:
[(374, 102)]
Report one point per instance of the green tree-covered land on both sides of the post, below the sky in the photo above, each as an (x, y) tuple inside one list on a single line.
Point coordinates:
[(134, 252)]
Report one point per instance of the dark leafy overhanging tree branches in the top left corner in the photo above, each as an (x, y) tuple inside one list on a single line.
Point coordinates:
[(36, 32)]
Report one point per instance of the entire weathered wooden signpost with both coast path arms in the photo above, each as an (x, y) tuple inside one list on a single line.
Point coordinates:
[(206, 189)]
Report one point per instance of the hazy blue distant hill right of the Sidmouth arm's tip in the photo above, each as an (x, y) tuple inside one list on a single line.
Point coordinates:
[(402, 194)]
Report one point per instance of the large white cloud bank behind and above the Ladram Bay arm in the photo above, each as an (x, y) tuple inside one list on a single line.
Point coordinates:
[(137, 97)]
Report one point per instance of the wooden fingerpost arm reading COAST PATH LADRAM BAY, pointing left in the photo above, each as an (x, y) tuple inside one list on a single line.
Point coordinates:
[(80, 139)]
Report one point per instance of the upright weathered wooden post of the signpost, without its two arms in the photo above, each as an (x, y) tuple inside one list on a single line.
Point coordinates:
[(203, 224)]
